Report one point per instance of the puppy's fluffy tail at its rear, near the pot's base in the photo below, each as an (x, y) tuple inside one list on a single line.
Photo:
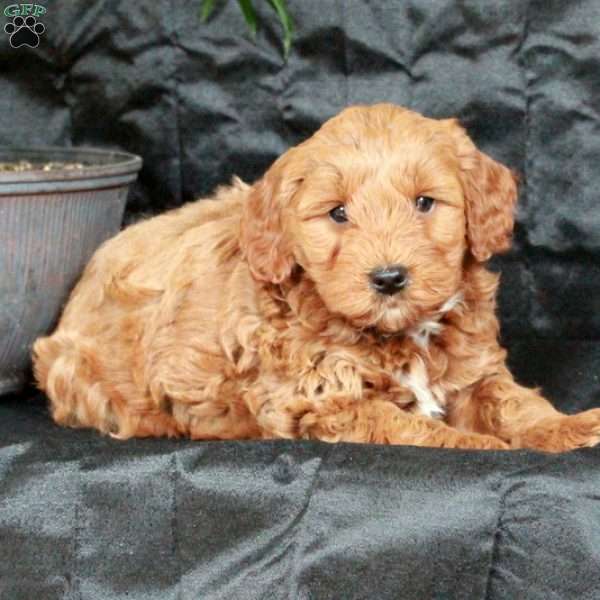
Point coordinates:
[(66, 368)]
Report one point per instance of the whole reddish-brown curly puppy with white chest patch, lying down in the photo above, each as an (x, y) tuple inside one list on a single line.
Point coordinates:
[(343, 297)]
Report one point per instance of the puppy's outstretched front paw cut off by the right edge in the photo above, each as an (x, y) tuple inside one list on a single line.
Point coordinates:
[(562, 433)]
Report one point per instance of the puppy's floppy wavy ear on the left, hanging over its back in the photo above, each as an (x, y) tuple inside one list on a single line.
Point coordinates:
[(264, 240)]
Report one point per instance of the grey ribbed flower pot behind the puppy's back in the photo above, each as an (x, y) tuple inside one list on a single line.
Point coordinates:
[(51, 221)]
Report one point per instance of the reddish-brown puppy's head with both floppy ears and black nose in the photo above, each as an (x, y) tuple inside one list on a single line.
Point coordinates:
[(379, 208)]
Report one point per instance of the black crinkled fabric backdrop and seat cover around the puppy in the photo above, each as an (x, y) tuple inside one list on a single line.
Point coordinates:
[(85, 517)]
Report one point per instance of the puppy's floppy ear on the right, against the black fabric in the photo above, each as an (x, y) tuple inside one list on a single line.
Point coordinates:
[(490, 191)]
